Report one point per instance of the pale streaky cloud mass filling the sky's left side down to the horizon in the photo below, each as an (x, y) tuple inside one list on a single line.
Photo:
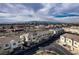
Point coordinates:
[(15, 13)]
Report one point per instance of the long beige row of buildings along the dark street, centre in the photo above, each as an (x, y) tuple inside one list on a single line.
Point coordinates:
[(35, 37)]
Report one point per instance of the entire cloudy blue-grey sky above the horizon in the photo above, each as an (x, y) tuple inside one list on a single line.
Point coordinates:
[(23, 12)]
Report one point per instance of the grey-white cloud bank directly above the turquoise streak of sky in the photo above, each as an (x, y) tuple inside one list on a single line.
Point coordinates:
[(59, 8)]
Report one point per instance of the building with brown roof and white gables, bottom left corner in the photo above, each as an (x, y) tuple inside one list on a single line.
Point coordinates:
[(10, 43)]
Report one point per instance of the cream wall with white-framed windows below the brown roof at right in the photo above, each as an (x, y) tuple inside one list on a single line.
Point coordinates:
[(74, 45)]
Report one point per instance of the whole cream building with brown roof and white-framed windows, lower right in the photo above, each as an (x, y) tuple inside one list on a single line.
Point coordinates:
[(70, 41)]
